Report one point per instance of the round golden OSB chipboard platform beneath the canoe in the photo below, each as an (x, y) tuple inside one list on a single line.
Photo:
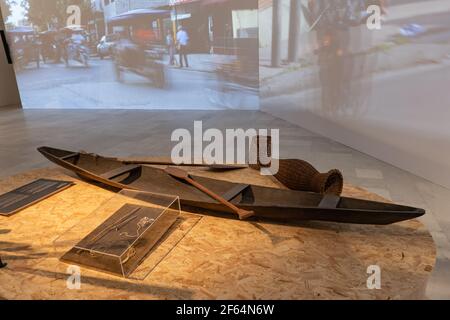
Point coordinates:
[(217, 258)]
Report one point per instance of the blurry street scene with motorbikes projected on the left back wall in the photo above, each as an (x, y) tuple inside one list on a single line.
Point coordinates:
[(135, 54)]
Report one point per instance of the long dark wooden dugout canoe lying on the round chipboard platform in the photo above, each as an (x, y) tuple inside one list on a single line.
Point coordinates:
[(268, 203)]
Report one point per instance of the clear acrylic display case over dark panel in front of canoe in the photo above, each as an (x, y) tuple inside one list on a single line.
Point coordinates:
[(123, 233)]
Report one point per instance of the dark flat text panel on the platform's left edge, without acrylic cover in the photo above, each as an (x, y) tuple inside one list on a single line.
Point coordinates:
[(29, 194)]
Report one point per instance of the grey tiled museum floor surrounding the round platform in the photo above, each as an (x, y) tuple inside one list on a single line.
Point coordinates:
[(139, 133)]
